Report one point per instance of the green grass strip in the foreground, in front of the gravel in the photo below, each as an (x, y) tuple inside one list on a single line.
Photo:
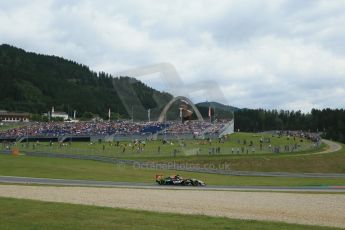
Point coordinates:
[(29, 214)]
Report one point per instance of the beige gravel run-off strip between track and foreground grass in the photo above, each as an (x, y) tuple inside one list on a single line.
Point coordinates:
[(314, 209)]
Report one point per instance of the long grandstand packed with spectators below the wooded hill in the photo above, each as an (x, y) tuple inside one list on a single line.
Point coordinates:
[(112, 130)]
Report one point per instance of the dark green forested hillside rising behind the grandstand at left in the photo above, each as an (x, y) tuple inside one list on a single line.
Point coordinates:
[(34, 83)]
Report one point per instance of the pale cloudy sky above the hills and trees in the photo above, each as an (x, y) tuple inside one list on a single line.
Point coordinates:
[(255, 54)]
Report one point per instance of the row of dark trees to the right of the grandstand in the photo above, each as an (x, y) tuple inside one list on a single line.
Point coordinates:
[(331, 122)]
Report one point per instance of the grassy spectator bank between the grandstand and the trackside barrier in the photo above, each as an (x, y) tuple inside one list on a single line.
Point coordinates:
[(301, 161)]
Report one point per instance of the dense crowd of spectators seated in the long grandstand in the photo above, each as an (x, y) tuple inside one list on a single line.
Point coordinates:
[(56, 129)]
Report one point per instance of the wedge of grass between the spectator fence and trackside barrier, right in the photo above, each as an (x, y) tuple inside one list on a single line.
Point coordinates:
[(309, 163)]
